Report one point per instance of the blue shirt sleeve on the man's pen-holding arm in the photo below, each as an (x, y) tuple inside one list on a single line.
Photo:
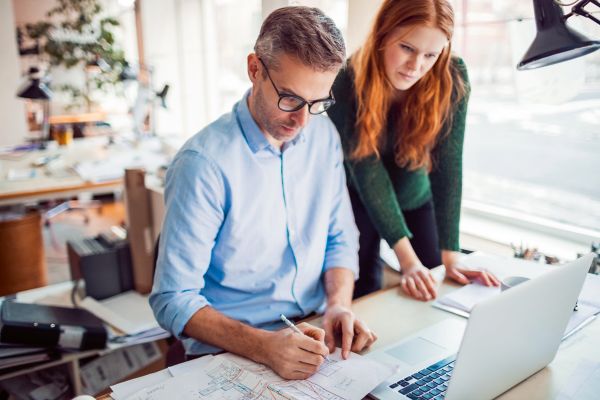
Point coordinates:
[(194, 200)]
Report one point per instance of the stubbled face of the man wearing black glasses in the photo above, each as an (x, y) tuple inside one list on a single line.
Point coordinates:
[(291, 77)]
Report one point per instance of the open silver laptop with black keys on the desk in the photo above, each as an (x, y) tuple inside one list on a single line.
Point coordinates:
[(506, 339)]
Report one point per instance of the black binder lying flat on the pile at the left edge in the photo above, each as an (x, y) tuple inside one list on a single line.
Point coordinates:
[(49, 326)]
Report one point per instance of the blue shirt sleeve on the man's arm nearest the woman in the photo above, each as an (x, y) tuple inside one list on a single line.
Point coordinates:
[(342, 237)]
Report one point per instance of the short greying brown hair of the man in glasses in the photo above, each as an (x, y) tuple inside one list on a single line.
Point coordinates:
[(303, 32)]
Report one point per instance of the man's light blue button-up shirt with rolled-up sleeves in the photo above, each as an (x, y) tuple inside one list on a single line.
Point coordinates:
[(249, 229)]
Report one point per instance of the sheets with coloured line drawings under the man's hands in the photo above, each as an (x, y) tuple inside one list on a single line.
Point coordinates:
[(229, 377)]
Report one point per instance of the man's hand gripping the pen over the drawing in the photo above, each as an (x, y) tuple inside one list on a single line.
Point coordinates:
[(295, 356)]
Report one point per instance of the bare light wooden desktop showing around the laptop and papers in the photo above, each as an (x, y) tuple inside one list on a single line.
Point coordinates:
[(392, 315)]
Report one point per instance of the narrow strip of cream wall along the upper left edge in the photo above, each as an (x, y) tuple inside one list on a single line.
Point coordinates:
[(12, 110)]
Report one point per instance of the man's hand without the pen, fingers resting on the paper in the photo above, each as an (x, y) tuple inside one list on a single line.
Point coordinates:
[(355, 333)]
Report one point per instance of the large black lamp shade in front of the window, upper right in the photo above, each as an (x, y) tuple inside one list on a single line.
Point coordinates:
[(555, 41)]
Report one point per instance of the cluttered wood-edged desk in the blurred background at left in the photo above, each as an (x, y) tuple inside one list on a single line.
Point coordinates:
[(58, 179)]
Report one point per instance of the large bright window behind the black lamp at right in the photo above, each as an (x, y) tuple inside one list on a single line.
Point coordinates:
[(533, 137)]
